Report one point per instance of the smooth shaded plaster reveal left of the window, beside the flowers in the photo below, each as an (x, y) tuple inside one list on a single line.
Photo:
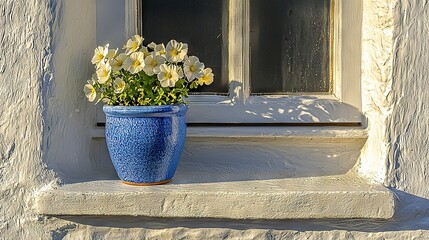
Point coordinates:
[(68, 115)]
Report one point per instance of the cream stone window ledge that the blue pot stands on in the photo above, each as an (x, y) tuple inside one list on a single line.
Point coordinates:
[(344, 196)]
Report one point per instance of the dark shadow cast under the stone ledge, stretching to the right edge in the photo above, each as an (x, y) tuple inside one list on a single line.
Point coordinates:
[(412, 214)]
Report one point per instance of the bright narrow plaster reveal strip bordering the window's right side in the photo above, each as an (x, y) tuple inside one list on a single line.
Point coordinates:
[(377, 61)]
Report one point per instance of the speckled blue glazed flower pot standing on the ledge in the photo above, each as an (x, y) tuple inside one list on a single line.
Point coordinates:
[(145, 142)]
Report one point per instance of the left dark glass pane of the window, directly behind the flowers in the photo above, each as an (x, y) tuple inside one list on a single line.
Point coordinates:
[(199, 23)]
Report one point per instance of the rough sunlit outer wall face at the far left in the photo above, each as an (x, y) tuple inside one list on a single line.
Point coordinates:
[(25, 57)]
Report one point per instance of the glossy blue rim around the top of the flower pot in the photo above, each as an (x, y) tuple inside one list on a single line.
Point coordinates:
[(145, 111)]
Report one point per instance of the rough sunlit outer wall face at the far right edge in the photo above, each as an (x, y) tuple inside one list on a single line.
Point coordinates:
[(408, 124)]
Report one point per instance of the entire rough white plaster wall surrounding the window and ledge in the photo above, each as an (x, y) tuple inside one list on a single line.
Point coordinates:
[(45, 51)]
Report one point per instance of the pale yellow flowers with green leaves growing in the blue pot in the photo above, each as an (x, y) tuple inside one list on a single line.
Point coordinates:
[(149, 75)]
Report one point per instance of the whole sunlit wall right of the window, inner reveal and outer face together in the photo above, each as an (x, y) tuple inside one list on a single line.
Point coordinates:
[(395, 77)]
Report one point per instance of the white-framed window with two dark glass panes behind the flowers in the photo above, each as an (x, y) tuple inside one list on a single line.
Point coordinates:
[(264, 70)]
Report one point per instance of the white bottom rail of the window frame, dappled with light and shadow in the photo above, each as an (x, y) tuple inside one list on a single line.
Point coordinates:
[(293, 108)]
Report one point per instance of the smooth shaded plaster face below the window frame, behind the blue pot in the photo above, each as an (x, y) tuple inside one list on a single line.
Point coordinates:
[(234, 159)]
